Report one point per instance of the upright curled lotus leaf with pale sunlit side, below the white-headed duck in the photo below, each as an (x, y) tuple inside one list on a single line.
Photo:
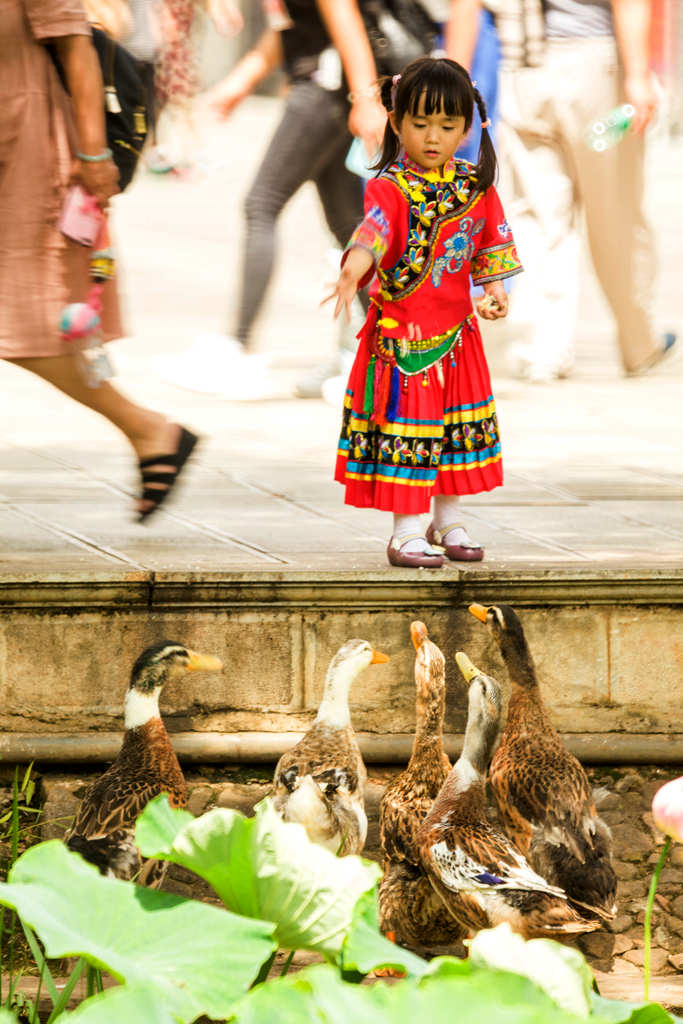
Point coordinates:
[(265, 868)]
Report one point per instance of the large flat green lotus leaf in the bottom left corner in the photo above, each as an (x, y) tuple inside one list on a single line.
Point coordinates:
[(198, 959)]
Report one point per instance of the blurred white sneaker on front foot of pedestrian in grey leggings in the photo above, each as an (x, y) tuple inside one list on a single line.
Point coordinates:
[(217, 364)]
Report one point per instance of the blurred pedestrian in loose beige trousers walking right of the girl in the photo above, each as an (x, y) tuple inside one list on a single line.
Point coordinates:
[(567, 64)]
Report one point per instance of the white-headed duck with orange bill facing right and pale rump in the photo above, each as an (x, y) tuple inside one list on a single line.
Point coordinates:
[(320, 782)]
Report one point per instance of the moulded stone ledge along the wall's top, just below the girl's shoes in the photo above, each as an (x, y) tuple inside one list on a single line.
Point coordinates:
[(520, 587)]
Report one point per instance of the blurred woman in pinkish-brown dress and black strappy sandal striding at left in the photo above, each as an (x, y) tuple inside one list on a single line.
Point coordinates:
[(50, 140)]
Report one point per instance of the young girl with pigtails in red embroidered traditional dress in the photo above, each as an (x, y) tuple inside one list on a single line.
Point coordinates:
[(419, 414)]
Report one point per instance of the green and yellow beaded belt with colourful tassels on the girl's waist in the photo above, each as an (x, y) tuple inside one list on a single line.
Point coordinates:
[(394, 357)]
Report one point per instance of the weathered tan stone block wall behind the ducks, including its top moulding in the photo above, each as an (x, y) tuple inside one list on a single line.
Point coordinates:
[(609, 668)]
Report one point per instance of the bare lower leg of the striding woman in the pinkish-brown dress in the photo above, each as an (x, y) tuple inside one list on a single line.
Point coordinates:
[(149, 433)]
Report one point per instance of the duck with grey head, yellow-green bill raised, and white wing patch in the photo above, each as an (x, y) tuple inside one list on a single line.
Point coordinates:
[(481, 877)]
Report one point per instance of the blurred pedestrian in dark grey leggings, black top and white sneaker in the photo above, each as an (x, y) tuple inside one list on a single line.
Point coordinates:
[(324, 49)]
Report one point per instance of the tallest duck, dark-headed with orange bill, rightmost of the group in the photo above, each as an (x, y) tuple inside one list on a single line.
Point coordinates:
[(543, 794)]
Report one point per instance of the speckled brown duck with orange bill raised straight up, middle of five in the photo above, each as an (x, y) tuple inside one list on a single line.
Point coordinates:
[(410, 911)]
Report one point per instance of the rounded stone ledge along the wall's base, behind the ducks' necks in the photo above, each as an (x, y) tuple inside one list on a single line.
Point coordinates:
[(267, 748)]
